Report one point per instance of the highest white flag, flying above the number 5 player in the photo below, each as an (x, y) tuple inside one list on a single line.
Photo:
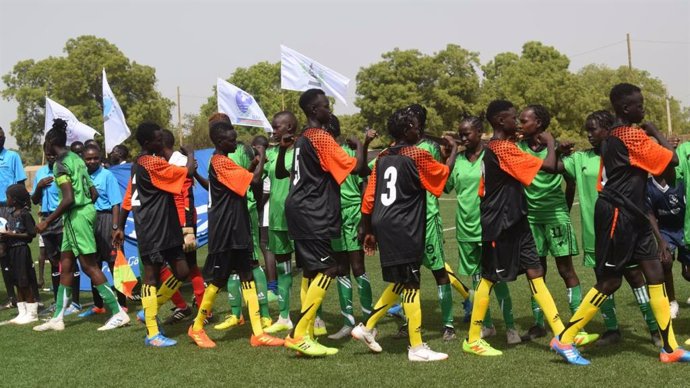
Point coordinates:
[(298, 72)]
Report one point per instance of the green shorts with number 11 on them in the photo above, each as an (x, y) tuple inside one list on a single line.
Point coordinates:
[(557, 239)]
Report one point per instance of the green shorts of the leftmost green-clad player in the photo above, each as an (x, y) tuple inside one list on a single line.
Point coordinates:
[(79, 234)]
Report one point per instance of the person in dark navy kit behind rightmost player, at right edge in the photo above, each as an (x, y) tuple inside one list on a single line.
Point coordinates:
[(666, 202)]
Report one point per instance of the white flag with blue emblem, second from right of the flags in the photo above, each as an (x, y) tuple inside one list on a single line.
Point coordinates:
[(240, 106)]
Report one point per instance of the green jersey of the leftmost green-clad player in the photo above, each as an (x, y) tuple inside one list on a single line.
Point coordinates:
[(69, 167)]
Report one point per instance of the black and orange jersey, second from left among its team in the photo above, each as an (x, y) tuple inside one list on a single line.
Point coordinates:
[(228, 215)]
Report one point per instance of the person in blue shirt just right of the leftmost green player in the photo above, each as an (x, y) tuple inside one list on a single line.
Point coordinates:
[(107, 213)]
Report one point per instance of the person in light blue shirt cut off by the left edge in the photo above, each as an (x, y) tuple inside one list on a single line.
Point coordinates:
[(11, 172)]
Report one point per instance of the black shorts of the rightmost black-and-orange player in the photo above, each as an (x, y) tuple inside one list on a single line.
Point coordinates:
[(621, 239)]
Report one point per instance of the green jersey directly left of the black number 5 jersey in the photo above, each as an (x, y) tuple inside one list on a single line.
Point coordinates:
[(279, 188)]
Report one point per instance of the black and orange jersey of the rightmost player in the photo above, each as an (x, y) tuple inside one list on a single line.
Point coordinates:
[(628, 156)]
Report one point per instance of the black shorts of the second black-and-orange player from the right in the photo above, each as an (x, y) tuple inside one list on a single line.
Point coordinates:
[(510, 255)]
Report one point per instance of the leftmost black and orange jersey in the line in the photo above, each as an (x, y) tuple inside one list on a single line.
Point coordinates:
[(149, 195)]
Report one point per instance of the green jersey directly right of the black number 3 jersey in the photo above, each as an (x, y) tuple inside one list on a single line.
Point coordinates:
[(464, 179)]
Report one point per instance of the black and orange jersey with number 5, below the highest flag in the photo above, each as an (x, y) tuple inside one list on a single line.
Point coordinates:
[(320, 165)]
